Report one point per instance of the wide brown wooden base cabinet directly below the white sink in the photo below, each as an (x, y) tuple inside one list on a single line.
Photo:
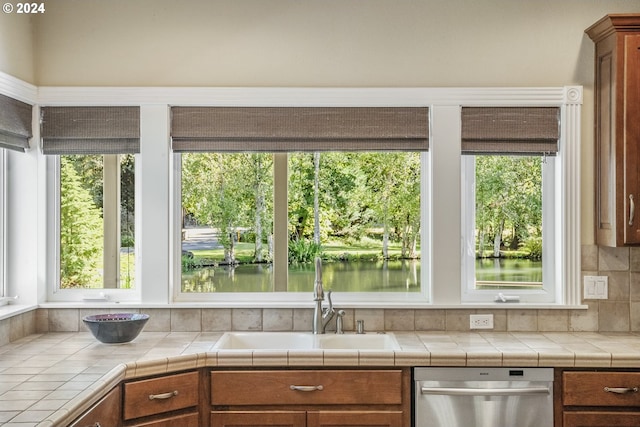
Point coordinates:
[(313, 398)]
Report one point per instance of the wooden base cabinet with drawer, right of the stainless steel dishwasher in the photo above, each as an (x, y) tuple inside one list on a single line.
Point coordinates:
[(600, 399)]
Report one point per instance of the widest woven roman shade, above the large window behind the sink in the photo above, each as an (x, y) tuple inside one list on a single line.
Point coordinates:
[(288, 129)]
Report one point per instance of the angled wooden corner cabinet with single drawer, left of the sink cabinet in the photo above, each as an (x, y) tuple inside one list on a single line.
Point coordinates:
[(164, 401)]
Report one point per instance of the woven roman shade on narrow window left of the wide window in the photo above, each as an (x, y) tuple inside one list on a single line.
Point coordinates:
[(90, 130)]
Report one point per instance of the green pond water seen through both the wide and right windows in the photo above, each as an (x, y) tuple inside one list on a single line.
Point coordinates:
[(389, 276)]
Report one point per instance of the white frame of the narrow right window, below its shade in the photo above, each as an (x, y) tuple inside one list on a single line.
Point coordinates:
[(550, 216)]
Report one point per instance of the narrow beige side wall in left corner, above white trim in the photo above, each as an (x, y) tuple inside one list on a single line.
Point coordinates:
[(16, 46)]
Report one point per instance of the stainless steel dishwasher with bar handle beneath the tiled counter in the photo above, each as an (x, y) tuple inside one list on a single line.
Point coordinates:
[(483, 397)]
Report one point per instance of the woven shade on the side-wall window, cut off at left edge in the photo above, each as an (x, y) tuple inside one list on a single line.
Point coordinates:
[(15, 124)]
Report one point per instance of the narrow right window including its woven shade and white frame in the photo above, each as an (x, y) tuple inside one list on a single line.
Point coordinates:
[(508, 198)]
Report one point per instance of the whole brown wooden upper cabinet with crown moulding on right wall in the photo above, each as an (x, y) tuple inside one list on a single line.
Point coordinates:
[(617, 128)]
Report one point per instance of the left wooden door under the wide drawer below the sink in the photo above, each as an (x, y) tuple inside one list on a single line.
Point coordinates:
[(258, 418)]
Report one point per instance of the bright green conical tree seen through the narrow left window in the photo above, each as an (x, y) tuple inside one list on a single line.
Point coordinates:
[(81, 230)]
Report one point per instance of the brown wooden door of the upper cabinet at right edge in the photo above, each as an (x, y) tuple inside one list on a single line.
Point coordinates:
[(632, 138)]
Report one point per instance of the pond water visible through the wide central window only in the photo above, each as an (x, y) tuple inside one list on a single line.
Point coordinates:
[(387, 276)]
